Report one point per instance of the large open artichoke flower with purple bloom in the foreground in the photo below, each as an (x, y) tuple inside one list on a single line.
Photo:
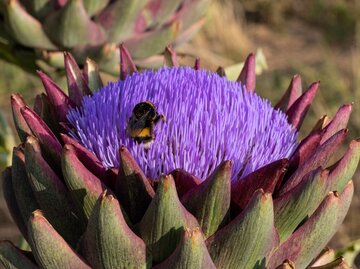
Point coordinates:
[(225, 182)]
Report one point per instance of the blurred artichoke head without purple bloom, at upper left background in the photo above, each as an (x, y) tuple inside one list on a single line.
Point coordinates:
[(38, 31)]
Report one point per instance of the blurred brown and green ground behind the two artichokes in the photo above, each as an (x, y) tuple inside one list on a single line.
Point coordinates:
[(318, 39)]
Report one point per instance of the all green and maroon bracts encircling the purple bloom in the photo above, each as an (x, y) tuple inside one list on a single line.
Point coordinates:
[(74, 213)]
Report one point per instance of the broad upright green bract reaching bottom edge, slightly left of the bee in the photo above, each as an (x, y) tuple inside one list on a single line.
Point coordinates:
[(108, 241)]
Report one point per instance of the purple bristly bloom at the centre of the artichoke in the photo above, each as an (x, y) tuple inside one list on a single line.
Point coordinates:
[(208, 120)]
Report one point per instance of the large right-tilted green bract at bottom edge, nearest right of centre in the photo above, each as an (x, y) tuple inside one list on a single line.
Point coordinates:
[(248, 239)]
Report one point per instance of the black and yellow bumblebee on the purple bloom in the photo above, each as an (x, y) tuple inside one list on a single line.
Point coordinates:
[(140, 125)]
